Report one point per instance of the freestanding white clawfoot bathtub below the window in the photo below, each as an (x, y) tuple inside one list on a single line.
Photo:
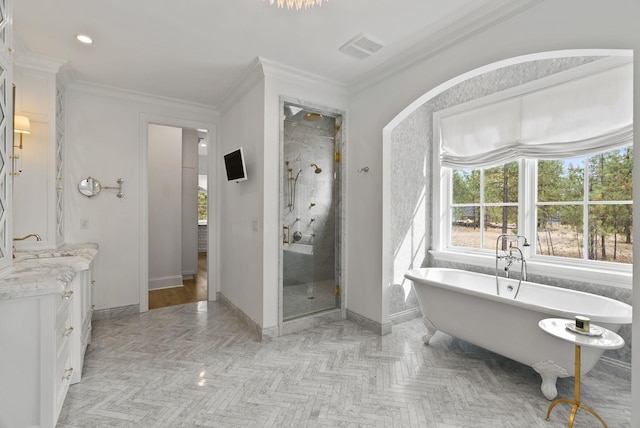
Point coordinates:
[(467, 305)]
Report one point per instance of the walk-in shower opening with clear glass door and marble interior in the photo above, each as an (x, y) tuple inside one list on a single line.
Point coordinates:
[(311, 222)]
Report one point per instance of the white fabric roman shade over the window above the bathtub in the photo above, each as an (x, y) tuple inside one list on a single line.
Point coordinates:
[(587, 115)]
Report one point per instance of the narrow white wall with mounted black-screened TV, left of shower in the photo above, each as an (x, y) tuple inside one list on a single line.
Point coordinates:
[(241, 205)]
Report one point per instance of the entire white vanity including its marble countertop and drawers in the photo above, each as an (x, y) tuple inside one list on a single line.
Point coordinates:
[(45, 328)]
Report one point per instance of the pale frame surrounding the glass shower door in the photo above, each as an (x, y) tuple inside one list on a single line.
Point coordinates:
[(340, 312)]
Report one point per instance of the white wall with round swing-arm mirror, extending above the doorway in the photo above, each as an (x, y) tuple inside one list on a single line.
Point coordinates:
[(103, 139)]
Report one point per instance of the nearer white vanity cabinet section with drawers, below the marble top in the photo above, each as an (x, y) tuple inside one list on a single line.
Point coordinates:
[(36, 362)]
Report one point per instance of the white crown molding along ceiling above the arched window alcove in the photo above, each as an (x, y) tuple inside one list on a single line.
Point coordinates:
[(449, 35)]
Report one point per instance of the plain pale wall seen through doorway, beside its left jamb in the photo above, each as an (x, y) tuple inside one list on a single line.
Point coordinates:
[(165, 206)]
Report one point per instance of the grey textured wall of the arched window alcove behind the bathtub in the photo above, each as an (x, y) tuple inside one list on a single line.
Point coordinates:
[(411, 178)]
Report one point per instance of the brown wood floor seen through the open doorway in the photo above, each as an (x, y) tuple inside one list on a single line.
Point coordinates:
[(192, 290)]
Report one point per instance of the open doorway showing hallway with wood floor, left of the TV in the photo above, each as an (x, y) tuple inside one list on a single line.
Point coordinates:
[(177, 216)]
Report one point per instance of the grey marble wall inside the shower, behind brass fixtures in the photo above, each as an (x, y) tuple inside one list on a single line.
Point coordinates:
[(309, 206)]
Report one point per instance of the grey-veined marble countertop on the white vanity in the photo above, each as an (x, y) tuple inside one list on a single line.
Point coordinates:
[(40, 272)]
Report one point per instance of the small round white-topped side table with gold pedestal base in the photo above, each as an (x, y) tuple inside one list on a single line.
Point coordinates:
[(607, 340)]
